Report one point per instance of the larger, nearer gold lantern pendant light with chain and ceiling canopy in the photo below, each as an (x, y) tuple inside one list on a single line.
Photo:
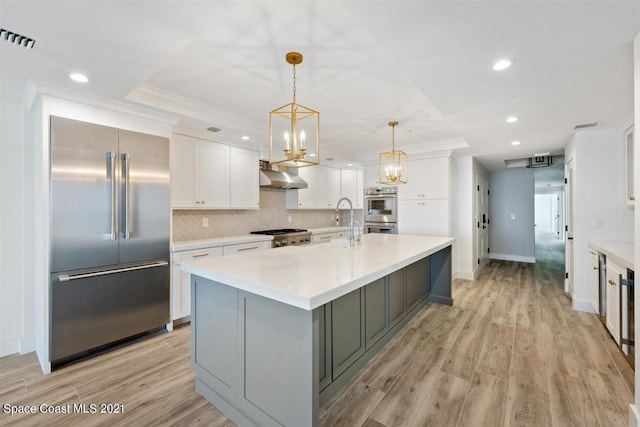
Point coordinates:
[(294, 130)]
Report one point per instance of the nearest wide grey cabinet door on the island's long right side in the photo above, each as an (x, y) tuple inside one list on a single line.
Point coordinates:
[(347, 330)]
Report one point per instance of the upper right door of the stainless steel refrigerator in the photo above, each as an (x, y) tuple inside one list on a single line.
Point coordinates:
[(143, 197)]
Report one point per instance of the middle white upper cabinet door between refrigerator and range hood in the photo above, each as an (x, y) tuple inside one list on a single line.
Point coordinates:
[(212, 189)]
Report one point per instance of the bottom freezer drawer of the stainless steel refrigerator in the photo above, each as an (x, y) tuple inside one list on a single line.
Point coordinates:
[(92, 311)]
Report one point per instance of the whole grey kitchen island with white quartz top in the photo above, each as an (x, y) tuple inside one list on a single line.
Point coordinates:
[(277, 333)]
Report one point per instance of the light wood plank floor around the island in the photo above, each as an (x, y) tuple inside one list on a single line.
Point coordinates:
[(511, 352)]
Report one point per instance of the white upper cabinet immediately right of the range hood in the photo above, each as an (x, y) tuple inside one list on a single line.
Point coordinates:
[(323, 189)]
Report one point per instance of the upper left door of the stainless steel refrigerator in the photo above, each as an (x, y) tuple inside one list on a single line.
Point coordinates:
[(84, 204)]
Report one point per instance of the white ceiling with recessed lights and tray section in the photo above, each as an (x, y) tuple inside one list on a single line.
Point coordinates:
[(425, 64)]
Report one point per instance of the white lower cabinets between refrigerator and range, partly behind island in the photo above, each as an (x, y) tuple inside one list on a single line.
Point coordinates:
[(181, 280)]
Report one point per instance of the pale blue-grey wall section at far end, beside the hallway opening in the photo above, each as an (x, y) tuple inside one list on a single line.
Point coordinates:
[(511, 232)]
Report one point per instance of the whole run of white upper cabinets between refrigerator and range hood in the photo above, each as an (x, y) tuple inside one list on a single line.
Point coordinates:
[(201, 175)]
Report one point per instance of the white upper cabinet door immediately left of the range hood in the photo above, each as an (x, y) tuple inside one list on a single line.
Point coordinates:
[(245, 185)]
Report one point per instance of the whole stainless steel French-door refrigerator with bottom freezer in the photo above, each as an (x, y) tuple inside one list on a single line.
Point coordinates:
[(109, 255)]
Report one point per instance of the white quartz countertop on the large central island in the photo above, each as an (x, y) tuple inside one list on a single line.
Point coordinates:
[(311, 275)]
